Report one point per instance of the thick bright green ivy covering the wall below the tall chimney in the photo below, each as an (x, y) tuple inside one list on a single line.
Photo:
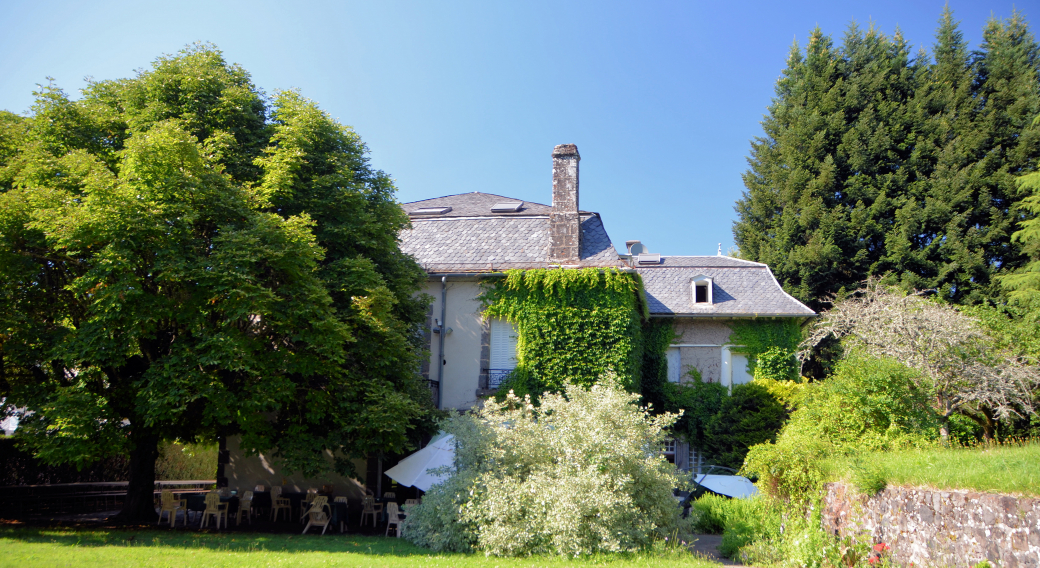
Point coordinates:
[(574, 327)]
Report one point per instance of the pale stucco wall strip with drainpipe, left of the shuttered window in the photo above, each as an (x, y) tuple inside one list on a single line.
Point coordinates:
[(462, 347)]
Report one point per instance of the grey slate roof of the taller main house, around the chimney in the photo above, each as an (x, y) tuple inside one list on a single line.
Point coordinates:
[(471, 239)]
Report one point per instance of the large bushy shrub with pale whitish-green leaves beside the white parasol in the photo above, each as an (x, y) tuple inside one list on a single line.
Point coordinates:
[(582, 474)]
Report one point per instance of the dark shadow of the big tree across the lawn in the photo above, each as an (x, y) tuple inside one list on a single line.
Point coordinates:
[(232, 543)]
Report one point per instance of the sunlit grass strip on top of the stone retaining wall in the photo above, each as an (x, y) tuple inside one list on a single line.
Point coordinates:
[(1009, 469)]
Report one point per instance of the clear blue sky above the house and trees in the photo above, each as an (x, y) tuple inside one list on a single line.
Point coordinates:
[(662, 98)]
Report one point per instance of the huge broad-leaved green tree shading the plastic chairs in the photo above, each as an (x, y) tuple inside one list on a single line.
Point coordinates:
[(184, 257)]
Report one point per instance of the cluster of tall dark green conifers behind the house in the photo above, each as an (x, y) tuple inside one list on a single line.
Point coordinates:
[(877, 163)]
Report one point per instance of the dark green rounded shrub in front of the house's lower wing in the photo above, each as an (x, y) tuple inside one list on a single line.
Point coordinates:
[(750, 416)]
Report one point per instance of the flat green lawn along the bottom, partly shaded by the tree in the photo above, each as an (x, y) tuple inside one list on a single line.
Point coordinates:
[(24, 548)]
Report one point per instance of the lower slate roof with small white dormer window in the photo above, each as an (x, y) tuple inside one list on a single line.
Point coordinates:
[(741, 289)]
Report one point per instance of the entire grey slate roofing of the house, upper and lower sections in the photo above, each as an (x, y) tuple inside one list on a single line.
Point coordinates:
[(471, 239)]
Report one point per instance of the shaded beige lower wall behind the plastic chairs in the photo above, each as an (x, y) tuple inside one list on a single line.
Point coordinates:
[(245, 473)]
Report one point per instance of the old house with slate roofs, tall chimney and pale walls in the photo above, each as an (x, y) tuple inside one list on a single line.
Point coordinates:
[(462, 241)]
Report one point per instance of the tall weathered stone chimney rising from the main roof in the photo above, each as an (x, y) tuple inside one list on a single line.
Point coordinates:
[(565, 223)]
